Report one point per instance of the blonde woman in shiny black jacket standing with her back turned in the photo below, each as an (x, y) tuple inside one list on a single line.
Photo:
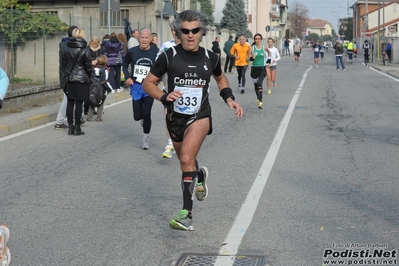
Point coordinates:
[(77, 63)]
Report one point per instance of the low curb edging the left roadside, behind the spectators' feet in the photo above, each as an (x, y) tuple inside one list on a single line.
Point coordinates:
[(42, 119)]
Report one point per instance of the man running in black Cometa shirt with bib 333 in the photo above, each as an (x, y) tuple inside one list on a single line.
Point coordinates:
[(189, 68)]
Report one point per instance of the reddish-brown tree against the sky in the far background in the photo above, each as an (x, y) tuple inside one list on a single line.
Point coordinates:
[(298, 17)]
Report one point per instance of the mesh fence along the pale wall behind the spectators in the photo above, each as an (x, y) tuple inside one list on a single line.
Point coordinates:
[(30, 42)]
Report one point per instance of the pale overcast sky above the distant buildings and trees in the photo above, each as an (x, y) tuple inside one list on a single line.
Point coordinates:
[(323, 9)]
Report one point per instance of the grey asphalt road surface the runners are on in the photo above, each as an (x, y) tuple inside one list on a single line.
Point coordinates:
[(99, 199)]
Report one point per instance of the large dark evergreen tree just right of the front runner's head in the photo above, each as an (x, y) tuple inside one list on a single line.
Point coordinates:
[(234, 17)]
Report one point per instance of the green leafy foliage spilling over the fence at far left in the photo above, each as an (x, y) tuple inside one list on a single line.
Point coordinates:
[(19, 25)]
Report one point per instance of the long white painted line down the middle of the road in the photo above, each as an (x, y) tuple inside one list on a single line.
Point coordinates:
[(244, 217)]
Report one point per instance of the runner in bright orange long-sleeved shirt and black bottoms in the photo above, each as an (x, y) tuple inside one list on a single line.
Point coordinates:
[(242, 52)]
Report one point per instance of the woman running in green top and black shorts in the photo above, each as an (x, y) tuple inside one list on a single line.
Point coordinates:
[(259, 58)]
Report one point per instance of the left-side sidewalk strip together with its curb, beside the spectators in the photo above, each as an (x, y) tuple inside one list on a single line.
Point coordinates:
[(11, 123)]
